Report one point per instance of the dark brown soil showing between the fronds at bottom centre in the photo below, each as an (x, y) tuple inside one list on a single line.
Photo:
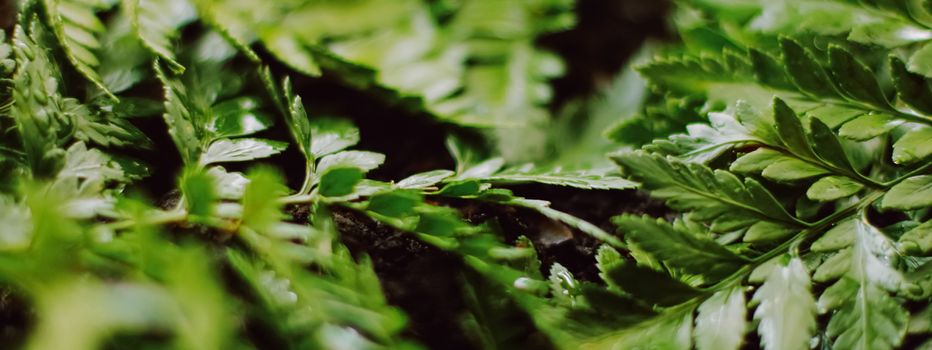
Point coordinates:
[(427, 282)]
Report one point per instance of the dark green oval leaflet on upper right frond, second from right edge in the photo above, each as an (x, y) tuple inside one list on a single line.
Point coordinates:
[(854, 78)]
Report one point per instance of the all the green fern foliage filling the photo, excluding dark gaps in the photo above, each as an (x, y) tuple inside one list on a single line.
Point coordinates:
[(791, 141)]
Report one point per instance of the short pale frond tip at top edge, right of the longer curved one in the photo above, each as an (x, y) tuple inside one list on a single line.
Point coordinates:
[(156, 22)]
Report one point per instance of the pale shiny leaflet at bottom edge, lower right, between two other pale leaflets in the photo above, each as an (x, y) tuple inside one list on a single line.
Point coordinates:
[(786, 309)]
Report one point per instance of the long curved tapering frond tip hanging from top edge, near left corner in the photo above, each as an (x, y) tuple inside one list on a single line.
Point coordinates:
[(77, 27)]
